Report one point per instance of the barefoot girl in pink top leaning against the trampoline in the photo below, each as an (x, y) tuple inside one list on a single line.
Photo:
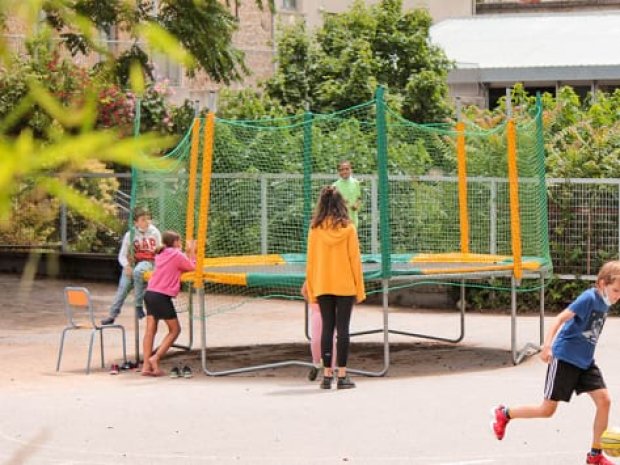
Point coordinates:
[(165, 283)]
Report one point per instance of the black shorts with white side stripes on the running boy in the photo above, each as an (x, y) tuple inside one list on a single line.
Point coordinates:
[(564, 378)]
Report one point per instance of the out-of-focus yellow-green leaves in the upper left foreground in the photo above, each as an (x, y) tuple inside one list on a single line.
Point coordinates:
[(66, 137)]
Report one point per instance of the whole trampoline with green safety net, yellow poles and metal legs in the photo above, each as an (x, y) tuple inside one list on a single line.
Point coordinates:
[(473, 208)]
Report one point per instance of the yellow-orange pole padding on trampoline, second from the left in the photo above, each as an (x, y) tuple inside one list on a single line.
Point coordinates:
[(205, 197)]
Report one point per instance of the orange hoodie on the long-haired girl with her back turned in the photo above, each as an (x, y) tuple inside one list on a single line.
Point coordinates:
[(334, 264)]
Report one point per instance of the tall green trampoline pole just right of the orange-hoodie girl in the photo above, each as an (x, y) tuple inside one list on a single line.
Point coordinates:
[(383, 188)]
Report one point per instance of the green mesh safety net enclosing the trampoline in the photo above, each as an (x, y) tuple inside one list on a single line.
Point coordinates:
[(266, 176)]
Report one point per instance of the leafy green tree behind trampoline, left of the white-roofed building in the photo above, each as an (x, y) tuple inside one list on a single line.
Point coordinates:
[(342, 63)]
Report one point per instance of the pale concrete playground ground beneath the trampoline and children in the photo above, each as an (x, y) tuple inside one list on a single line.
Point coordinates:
[(431, 408)]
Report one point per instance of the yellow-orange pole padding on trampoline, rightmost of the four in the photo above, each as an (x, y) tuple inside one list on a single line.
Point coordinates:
[(513, 183)]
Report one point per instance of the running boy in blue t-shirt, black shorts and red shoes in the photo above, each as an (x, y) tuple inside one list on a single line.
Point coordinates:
[(569, 351)]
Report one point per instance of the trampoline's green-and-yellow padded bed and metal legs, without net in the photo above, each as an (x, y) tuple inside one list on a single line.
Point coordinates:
[(289, 270)]
